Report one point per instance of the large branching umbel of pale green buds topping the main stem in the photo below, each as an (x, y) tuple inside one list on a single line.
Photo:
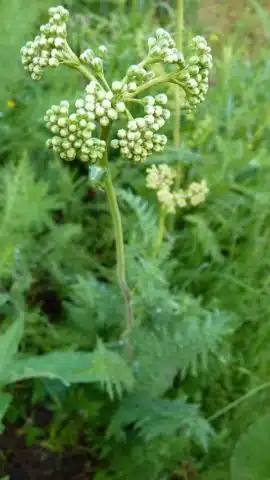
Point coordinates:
[(102, 104)]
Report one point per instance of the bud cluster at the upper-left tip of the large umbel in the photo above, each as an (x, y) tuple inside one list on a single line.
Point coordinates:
[(48, 48)]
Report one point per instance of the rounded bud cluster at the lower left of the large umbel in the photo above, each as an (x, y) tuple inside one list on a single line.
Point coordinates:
[(73, 133)]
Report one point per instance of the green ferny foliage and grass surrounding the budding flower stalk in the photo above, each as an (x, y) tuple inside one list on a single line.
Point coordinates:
[(194, 402)]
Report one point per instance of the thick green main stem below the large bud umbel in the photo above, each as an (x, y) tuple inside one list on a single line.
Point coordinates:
[(118, 233)]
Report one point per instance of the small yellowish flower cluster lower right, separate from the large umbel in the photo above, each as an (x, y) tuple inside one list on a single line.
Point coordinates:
[(162, 178)]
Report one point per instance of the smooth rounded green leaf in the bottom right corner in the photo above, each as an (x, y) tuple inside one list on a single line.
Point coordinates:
[(250, 459)]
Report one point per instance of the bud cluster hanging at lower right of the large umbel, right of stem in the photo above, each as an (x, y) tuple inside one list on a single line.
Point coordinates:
[(139, 140)]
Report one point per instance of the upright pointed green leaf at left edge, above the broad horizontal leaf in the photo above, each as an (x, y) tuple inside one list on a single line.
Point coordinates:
[(9, 342)]
